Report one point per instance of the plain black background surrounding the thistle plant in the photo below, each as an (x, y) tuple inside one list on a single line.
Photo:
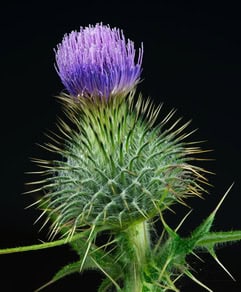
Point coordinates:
[(191, 62)]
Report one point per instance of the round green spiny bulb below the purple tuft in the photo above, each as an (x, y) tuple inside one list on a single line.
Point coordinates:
[(117, 167)]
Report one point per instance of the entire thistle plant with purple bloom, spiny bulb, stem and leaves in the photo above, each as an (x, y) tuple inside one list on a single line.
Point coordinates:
[(122, 167)]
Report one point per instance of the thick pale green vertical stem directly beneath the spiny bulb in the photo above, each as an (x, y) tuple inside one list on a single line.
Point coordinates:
[(139, 241)]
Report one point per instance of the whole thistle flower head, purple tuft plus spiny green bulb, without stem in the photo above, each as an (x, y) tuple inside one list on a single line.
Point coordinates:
[(116, 168)]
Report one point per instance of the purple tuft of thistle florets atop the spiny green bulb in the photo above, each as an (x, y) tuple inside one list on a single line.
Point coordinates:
[(98, 60)]
